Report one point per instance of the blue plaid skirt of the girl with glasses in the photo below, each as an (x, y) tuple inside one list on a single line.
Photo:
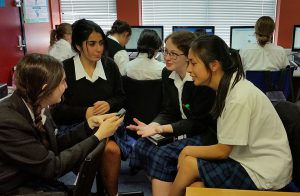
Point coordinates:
[(159, 162)]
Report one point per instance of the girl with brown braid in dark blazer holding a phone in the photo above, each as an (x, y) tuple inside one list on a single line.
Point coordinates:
[(32, 154)]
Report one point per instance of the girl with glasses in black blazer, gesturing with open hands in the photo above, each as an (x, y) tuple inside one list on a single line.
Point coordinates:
[(185, 110)]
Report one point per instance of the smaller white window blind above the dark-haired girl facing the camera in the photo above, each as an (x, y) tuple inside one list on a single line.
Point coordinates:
[(102, 12)]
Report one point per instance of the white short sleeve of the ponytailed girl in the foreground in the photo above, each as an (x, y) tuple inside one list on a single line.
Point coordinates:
[(234, 124)]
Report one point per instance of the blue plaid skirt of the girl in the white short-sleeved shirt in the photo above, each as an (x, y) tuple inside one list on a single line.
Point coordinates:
[(227, 174)]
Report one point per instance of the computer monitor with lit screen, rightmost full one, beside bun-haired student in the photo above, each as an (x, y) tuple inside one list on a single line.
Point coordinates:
[(241, 36)]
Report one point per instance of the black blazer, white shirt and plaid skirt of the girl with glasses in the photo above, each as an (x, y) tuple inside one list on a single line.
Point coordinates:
[(195, 122)]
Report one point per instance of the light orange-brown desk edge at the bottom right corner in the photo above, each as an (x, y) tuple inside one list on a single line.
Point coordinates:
[(195, 191)]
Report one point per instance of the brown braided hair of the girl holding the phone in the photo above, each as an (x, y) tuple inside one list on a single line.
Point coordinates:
[(32, 73)]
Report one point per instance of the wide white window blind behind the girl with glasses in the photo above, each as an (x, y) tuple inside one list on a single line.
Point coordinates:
[(219, 13)]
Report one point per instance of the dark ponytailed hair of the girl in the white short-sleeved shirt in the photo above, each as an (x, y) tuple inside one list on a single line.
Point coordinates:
[(210, 48)]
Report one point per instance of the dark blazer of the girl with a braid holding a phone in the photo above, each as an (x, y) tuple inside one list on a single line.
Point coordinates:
[(24, 160)]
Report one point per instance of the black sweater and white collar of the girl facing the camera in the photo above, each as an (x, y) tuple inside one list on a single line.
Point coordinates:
[(83, 91)]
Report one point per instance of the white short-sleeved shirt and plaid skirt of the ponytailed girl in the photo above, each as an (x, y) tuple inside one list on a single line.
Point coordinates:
[(260, 153)]
